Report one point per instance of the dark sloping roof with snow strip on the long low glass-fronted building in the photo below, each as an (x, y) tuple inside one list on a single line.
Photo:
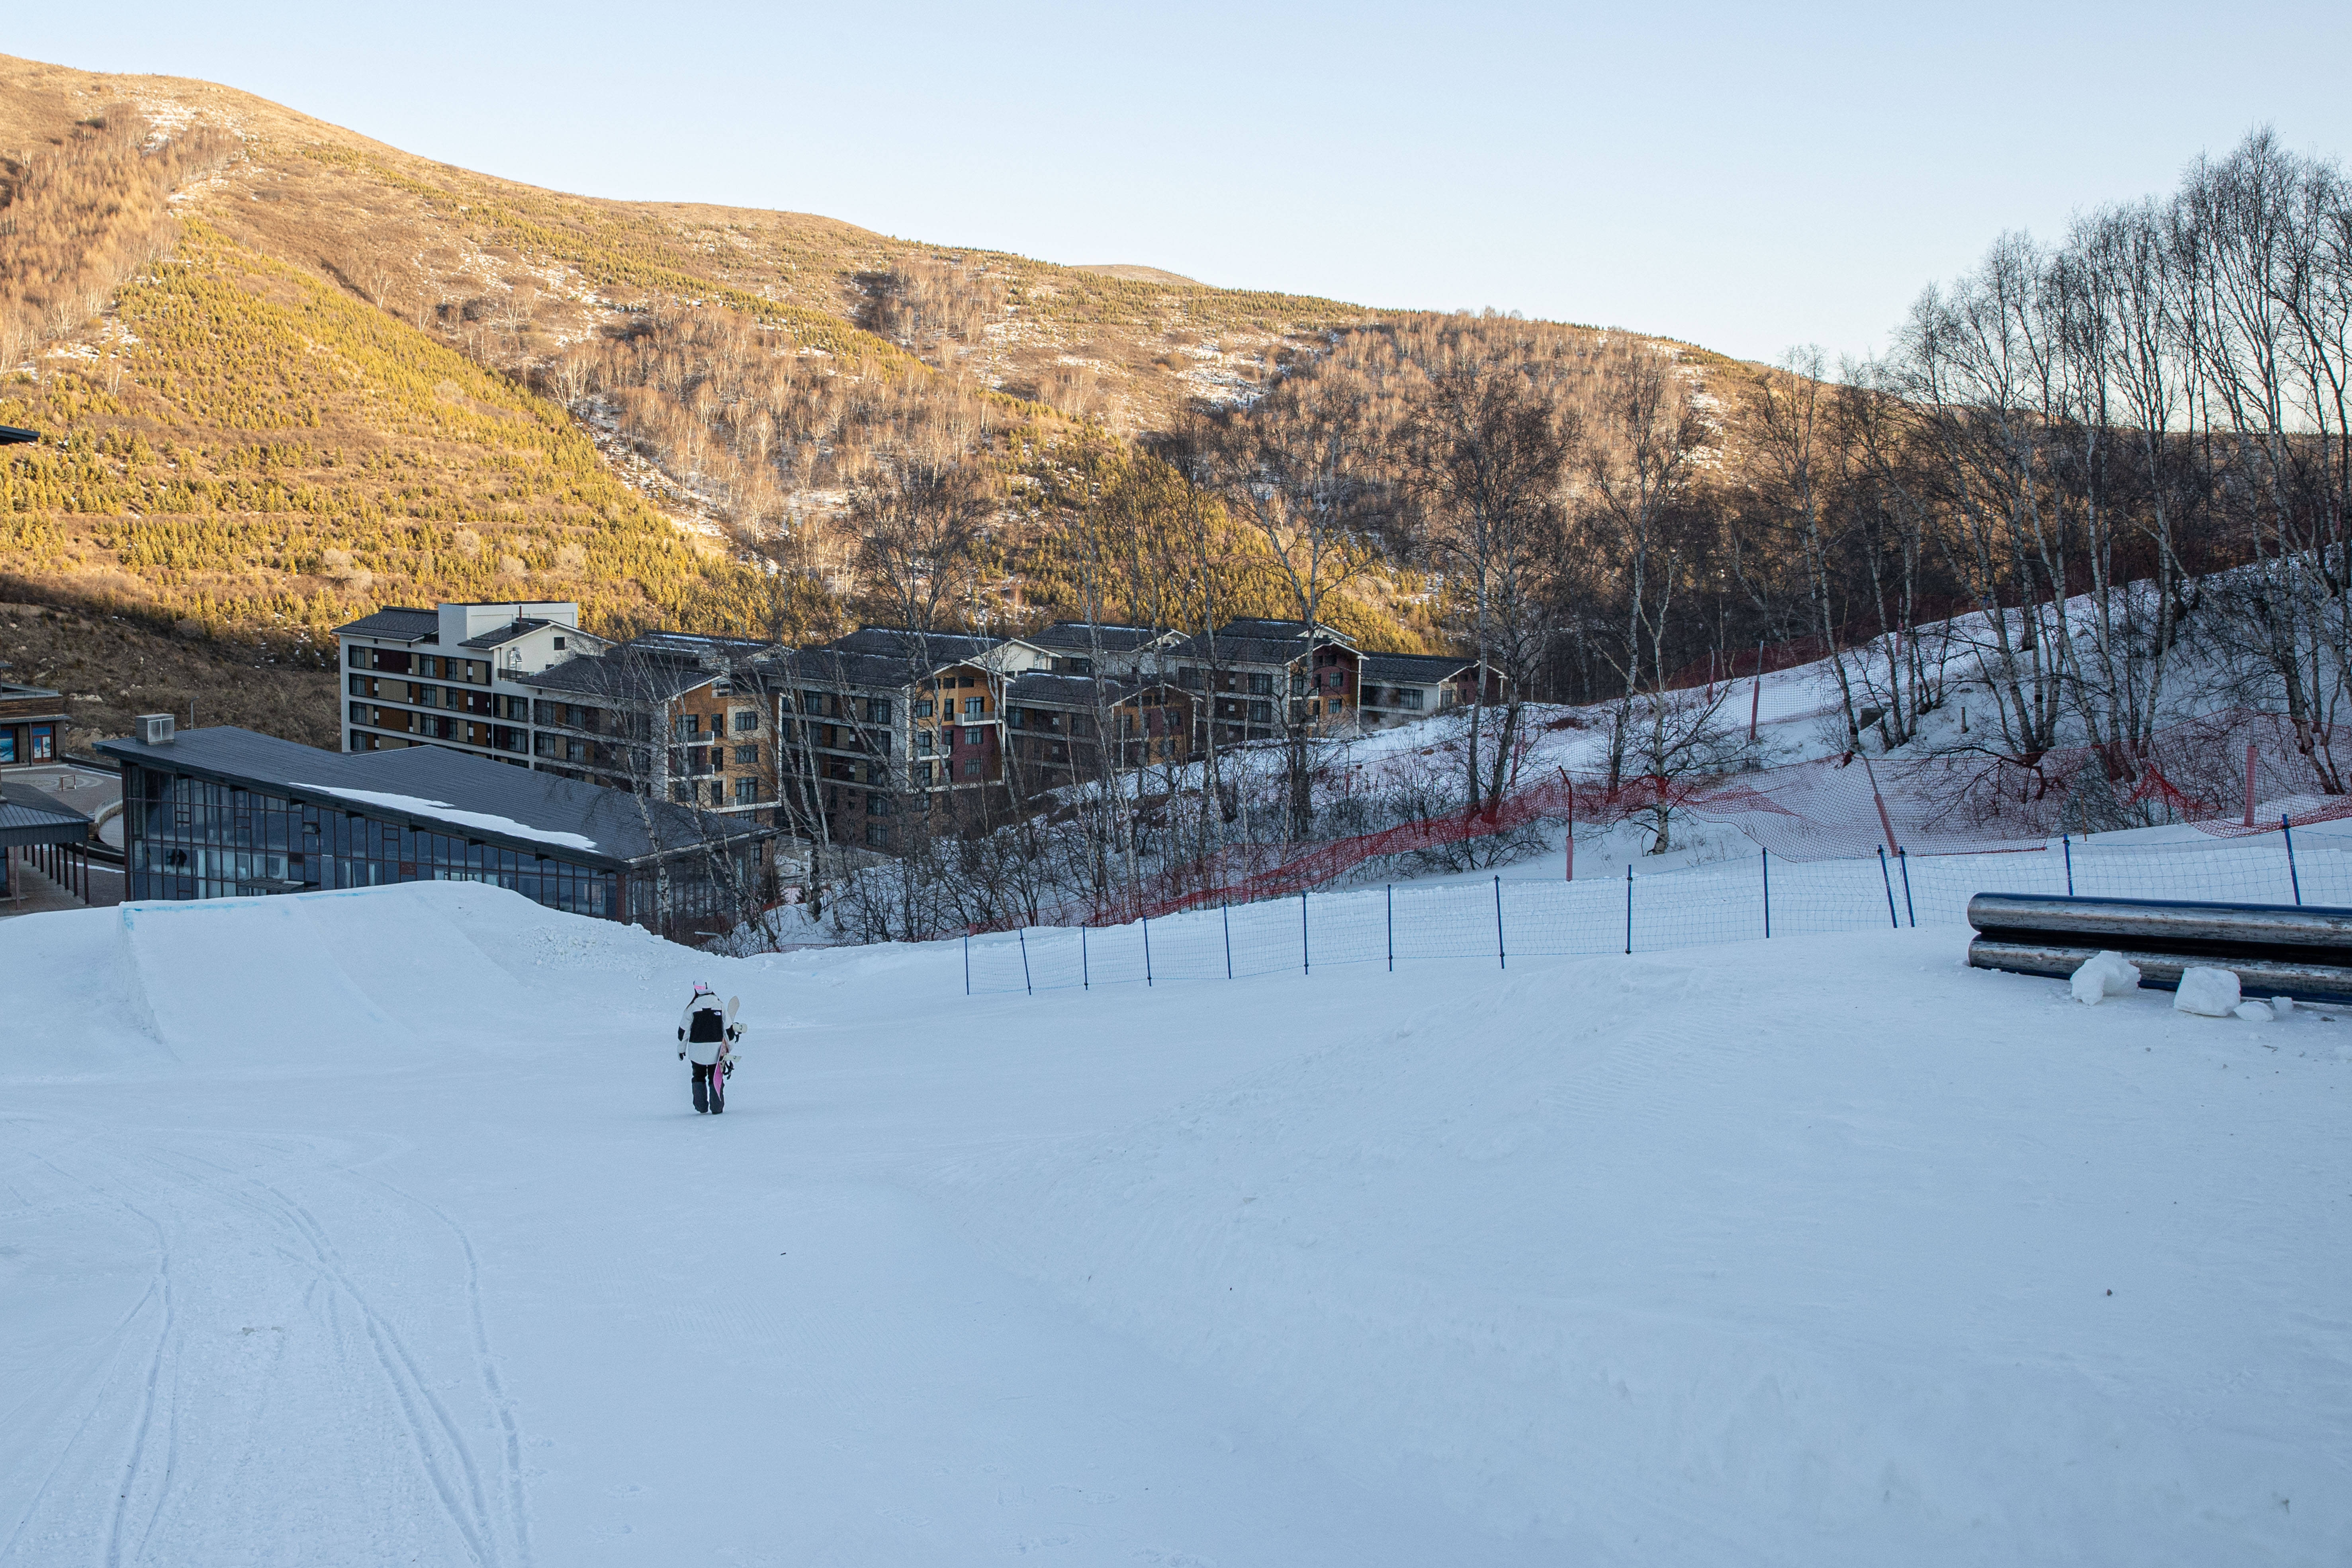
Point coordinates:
[(443, 789)]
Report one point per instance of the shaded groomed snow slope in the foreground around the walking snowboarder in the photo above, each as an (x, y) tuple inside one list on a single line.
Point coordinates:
[(375, 1228)]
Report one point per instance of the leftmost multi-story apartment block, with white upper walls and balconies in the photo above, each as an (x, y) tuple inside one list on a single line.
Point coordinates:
[(453, 676)]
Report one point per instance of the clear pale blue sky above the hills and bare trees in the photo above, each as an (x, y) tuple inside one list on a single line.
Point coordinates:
[(1739, 177)]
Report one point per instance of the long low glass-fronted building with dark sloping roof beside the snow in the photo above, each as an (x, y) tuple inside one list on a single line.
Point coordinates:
[(227, 812)]
